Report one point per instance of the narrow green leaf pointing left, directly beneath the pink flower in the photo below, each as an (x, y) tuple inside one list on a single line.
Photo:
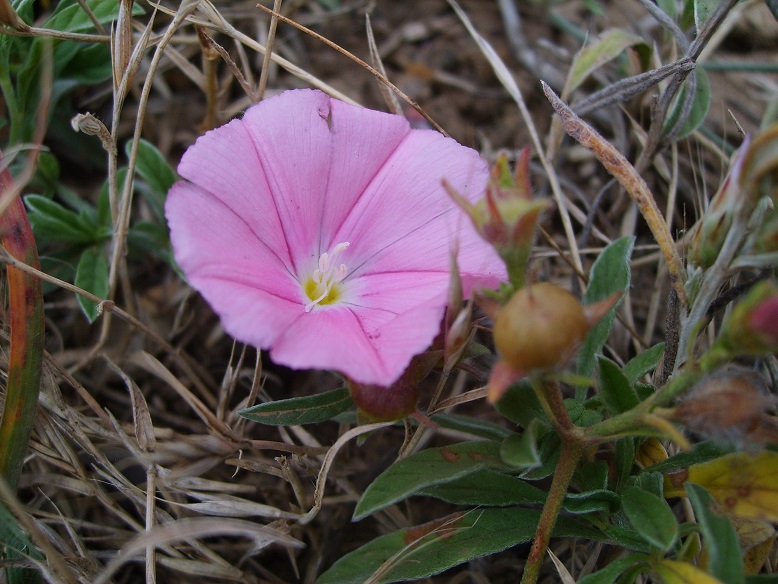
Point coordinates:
[(298, 411)]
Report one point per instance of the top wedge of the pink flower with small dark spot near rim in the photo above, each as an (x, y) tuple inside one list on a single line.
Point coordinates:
[(318, 154)]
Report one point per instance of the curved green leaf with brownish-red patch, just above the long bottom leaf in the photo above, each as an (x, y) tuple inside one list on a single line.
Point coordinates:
[(426, 468)]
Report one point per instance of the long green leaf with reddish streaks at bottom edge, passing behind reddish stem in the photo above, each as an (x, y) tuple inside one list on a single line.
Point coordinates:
[(424, 550)]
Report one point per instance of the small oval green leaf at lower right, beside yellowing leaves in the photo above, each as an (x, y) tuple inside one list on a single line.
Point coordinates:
[(651, 517)]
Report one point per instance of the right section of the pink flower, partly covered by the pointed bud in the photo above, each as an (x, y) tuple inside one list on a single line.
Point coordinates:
[(406, 221)]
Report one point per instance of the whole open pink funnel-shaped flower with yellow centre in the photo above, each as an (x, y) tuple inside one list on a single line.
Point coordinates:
[(320, 231)]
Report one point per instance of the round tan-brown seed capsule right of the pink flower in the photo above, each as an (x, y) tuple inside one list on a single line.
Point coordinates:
[(540, 327)]
